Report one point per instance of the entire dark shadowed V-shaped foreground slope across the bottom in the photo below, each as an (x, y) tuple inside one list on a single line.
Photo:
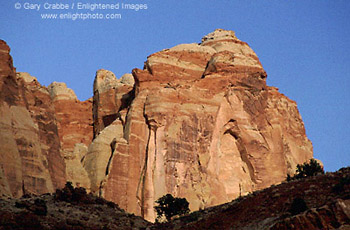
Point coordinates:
[(326, 197)]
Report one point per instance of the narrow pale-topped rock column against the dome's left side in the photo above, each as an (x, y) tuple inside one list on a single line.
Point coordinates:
[(111, 101)]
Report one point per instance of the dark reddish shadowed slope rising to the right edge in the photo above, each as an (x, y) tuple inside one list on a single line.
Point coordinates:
[(327, 207)]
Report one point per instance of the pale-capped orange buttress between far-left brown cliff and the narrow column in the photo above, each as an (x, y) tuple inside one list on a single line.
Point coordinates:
[(74, 124)]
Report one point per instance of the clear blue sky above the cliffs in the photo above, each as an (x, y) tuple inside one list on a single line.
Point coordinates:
[(304, 47)]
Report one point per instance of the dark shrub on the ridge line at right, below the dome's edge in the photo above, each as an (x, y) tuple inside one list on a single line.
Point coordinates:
[(306, 170)]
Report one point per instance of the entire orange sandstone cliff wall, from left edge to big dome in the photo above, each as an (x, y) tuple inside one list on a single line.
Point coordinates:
[(198, 122)]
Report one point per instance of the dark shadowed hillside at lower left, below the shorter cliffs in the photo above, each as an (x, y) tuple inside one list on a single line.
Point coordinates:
[(42, 212)]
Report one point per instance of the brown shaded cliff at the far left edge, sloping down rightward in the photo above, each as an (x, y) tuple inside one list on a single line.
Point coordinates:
[(29, 145)]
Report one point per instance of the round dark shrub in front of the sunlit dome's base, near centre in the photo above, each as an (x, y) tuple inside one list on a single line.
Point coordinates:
[(168, 206)]
